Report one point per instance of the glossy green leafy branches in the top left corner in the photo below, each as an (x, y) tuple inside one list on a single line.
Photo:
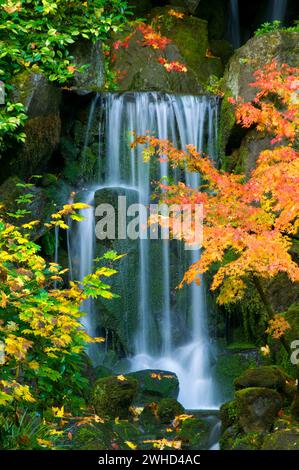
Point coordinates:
[(36, 35)]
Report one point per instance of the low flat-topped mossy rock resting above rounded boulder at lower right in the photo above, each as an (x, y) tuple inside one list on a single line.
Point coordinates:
[(265, 376)]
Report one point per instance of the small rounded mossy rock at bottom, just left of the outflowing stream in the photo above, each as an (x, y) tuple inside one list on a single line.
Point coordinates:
[(194, 433)]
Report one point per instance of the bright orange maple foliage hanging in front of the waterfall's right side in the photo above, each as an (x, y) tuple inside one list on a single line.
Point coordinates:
[(252, 220)]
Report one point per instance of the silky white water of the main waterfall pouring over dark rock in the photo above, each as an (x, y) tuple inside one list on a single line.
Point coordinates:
[(167, 336)]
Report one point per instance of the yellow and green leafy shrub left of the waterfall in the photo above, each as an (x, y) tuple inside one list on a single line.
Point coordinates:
[(41, 336)]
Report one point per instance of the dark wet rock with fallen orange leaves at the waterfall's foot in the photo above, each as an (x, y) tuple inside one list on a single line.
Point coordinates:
[(153, 385)]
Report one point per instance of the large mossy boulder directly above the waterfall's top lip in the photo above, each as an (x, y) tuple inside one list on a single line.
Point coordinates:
[(139, 69)]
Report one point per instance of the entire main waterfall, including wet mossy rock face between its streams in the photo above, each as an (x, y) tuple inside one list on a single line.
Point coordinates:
[(160, 327)]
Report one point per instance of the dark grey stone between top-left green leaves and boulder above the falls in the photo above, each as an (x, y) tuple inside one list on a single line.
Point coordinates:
[(92, 78)]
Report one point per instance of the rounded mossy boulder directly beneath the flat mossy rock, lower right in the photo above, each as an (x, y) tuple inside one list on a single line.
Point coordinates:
[(257, 408)]
